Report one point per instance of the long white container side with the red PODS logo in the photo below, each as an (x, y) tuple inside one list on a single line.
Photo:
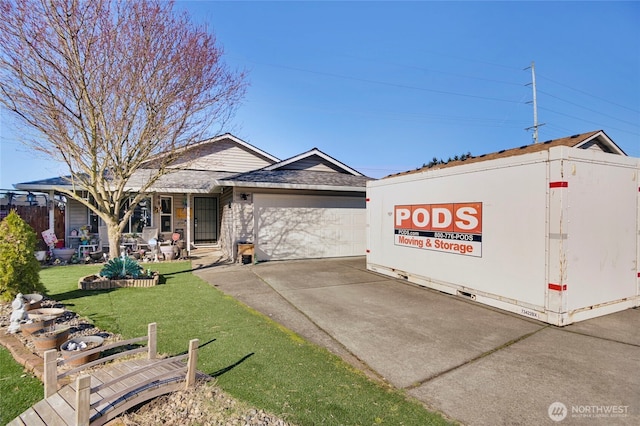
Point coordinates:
[(507, 256)]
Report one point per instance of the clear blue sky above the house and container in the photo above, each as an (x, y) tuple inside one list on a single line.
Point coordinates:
[(386, 86)]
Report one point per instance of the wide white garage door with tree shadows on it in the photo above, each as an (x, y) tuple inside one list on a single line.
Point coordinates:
[(307, 227)]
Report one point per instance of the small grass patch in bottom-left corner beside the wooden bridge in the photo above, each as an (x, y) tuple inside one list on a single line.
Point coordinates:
[(18, 390)]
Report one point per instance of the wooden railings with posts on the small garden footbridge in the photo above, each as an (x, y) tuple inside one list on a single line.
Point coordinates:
[(83, 382)]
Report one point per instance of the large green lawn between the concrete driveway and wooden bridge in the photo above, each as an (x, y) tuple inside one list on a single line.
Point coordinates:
[(253, 358)]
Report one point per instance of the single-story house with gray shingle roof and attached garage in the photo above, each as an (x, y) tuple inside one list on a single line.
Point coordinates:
[(225, 191)]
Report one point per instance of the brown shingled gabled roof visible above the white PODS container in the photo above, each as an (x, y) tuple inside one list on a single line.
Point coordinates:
[(588, 140)]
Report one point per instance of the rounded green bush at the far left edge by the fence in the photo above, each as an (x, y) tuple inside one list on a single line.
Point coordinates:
[(19, 268)]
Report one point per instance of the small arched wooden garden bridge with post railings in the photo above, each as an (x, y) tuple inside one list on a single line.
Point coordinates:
[(111, 389)]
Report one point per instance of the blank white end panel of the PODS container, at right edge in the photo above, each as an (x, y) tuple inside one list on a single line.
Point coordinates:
[(603, 229)]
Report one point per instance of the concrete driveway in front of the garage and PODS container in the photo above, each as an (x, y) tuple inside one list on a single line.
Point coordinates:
[(475, 364)]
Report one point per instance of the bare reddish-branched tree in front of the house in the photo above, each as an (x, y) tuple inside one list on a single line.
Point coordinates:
[(109, 85)]
